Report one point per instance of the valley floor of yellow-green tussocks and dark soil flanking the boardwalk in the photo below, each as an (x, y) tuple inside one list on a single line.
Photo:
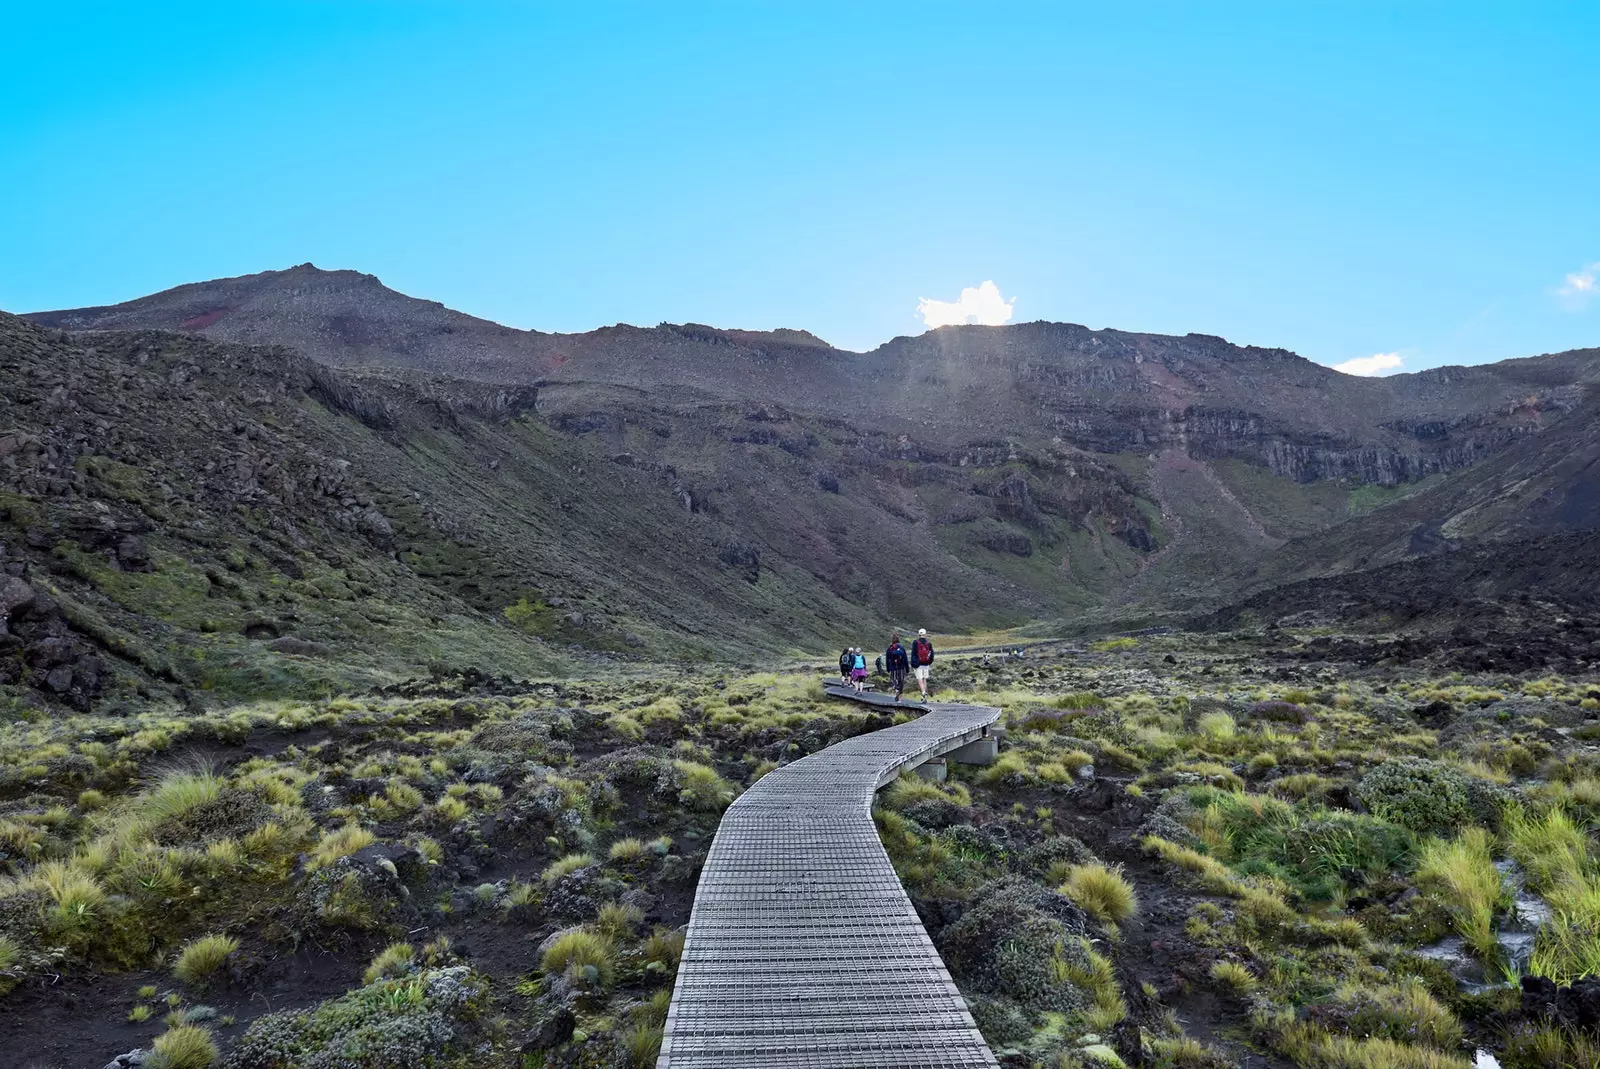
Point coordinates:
[(1194, 851)]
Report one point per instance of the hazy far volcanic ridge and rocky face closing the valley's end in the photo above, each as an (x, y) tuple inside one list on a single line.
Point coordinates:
[(967, 476)]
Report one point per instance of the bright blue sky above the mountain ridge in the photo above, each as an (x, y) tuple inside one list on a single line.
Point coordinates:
[(1342, 180)]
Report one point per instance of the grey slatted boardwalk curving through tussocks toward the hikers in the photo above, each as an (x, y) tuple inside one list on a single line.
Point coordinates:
[(802, 948)]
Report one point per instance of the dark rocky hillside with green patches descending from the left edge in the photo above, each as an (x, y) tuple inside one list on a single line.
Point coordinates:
[(246, 521)]
